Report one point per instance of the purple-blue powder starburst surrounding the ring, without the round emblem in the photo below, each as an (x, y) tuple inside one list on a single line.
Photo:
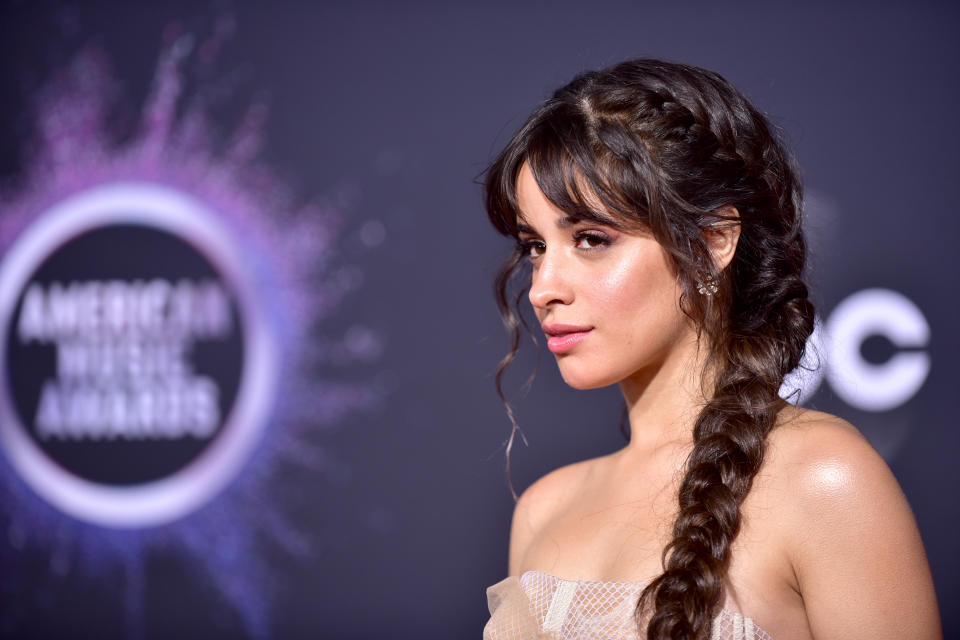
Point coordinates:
[(287, 245)]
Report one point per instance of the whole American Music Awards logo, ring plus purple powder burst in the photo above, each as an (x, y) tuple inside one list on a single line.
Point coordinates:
[(154, 296)]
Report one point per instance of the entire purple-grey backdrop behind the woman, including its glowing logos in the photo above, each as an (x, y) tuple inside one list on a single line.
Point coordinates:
[(208, 128)]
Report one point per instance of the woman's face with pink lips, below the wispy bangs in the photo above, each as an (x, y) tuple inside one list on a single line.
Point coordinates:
[(607, 298)]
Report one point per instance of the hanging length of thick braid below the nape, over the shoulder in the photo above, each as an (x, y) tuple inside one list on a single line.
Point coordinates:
[(729, 444)]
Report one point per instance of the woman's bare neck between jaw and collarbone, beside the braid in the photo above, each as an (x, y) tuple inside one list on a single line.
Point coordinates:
[(663, 401)]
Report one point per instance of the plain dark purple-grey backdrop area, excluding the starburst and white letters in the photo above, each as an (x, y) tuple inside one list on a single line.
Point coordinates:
[(392, 111)]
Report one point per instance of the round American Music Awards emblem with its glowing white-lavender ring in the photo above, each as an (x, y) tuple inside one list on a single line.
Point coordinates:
[(137, 369)]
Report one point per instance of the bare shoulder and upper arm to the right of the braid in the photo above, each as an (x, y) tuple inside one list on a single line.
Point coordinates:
[(849, 533)]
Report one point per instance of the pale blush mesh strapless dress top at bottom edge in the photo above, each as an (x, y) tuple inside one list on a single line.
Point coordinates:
[(540, 606)]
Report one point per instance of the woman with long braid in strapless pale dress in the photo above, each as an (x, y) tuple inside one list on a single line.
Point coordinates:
[(660, 218)]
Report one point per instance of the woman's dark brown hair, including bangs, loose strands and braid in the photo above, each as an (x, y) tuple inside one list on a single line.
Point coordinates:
[(668, 146)]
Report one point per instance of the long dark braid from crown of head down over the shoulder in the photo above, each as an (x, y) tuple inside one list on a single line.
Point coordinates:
[(755, 344)]
